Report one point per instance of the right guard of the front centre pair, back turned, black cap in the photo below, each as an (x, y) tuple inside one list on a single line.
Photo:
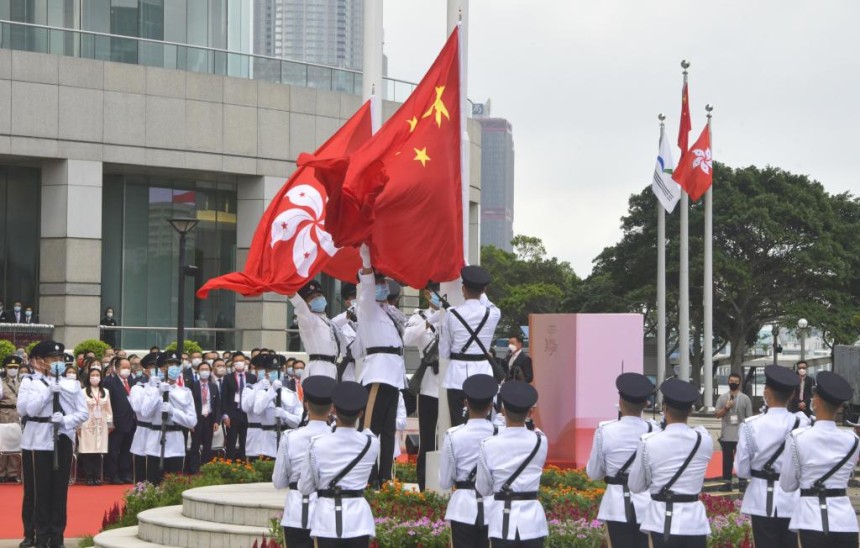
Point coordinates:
[(509, 470)]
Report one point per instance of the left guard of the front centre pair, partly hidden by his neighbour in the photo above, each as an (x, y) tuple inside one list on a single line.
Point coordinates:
[(467, 511)]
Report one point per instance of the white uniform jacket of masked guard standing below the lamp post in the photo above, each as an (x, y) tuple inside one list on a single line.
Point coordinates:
[(183, 414)]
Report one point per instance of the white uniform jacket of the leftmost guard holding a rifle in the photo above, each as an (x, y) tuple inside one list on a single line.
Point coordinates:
[(36, 399)]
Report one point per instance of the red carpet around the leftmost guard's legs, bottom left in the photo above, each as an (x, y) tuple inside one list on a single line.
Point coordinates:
[(86, 509)]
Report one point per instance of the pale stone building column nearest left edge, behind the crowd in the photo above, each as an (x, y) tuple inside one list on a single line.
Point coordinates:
[(71, 249)]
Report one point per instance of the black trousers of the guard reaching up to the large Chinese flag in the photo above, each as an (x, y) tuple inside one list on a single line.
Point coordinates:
[(381, 414)]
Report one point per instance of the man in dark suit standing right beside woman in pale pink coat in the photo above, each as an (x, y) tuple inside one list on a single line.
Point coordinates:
[(118, 464)]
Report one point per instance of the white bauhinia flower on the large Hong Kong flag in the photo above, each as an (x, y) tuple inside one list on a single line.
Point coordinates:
[(298, 223)]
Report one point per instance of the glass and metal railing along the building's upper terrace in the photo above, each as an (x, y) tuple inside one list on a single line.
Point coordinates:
[(172, 55)]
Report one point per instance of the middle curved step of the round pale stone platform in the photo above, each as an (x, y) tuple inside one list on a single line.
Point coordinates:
[(167, 526)]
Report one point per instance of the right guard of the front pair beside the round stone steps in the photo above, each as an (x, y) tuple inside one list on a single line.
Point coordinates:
[(338, 469)]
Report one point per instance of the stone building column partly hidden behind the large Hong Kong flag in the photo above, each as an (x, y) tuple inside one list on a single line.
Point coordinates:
[(263, 318)]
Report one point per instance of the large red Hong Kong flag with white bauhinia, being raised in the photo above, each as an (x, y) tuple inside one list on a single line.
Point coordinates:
[(291, 244)]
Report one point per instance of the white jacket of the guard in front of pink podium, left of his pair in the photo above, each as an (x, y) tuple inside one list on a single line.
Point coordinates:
[(614, 443)]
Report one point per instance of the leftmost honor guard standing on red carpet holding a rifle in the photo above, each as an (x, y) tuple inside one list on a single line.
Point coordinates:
[(51, 408)]
